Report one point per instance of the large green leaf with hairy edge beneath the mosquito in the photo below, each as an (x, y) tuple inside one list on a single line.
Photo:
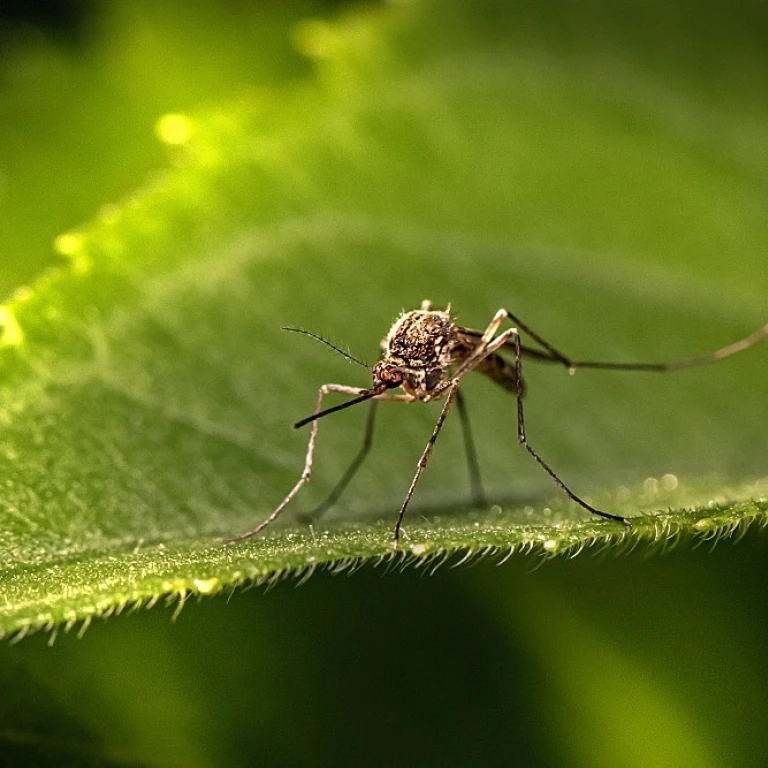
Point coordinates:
[(148, 392)]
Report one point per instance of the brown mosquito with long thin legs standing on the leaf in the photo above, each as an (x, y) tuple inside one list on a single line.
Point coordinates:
[(425, 357)]
